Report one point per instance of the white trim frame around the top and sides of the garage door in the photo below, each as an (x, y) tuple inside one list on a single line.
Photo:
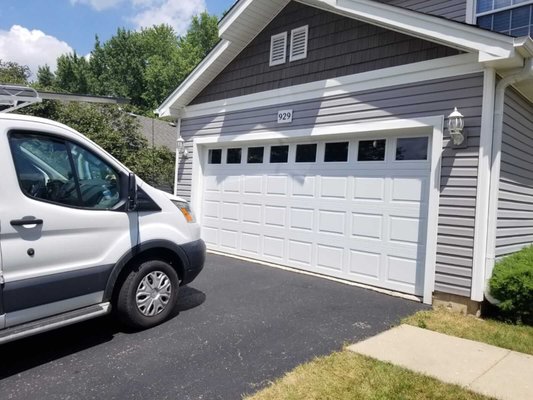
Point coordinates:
[(432, 125)]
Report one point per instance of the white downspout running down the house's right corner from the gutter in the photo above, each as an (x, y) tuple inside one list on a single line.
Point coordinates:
[(517, 76)]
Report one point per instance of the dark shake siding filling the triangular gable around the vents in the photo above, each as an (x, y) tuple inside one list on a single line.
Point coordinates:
[(338, 46)]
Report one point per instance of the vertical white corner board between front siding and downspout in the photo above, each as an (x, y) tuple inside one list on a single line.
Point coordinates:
[(481, 227)]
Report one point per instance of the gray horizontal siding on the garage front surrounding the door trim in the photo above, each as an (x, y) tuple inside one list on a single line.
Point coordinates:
[(459, 166)]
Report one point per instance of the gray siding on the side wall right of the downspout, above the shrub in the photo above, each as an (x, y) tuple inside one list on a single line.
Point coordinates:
[(515, 202)]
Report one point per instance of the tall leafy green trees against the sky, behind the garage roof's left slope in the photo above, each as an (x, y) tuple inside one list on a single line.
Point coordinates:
[(144, 66)]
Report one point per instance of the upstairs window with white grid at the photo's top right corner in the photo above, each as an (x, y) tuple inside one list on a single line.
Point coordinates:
[(512, 17)]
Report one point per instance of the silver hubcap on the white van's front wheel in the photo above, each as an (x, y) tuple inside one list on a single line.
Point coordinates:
[(153, 293)]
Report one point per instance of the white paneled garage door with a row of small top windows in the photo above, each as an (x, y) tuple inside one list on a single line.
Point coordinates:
[(353, 209)]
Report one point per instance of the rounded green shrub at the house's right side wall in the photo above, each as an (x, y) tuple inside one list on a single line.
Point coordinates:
[(512, 285)]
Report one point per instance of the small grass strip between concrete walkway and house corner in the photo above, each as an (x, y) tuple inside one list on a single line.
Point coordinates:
[(514, 337)]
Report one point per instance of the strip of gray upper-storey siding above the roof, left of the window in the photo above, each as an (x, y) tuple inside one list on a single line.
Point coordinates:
[(450, 9)]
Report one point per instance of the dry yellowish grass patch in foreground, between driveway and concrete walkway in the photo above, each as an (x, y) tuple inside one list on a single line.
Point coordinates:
[(346, 375)]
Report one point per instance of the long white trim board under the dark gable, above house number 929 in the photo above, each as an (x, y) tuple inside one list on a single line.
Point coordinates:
[(404, 74)]
